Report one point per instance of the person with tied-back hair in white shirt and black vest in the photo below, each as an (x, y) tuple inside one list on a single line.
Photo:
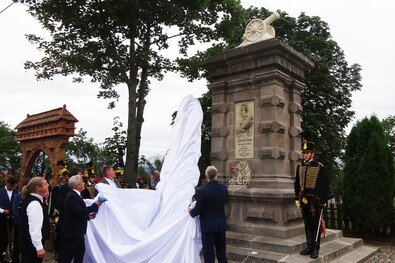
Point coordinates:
[(34, 220)]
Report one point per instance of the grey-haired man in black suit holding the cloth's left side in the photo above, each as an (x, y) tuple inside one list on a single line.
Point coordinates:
[(76, 215)]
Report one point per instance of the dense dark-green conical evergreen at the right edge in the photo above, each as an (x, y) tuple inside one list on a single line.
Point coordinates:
[(368, 177)]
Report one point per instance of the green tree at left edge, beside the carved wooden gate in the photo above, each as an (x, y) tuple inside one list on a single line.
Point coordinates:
[(10, 152)]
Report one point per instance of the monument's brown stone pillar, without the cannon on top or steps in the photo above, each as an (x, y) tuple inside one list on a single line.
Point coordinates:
[(256, 125)]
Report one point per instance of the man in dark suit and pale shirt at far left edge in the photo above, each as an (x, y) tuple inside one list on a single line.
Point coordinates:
[(7, 195)]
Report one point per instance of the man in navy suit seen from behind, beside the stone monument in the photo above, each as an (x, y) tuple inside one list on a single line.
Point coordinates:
[(210, 206)]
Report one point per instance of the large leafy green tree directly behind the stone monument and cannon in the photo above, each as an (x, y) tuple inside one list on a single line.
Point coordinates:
[(326, 100)]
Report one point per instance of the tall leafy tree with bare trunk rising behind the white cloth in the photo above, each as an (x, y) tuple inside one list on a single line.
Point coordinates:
[(121, 43)]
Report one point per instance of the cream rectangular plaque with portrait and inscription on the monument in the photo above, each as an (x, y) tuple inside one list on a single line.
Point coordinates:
[(244, 130)]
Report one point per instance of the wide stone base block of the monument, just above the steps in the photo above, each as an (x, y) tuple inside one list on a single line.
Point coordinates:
[(263, 212)]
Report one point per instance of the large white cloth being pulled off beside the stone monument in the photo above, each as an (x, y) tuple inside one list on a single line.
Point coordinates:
[(138, 225)]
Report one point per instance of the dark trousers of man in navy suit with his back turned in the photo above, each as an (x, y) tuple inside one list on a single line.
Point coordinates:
[(214, 243)]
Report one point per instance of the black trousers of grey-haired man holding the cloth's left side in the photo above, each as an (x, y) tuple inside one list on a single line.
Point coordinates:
[(72, 248)]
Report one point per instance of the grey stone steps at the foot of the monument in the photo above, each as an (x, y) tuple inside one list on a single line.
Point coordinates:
[(334, 248)]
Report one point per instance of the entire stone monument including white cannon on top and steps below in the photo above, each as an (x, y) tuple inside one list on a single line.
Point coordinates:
[(256, 140)]
